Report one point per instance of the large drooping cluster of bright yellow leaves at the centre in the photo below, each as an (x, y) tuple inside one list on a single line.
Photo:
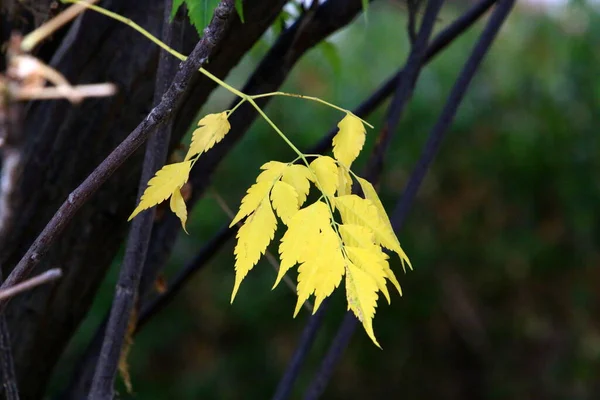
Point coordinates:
[(325, 250)]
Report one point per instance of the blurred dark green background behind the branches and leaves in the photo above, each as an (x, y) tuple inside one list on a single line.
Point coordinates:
[(504, 235)]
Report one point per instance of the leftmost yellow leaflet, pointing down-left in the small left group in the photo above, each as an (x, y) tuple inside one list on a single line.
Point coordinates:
[(168, 179)]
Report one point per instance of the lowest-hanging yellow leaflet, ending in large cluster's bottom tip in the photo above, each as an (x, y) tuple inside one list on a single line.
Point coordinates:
[(361, 293)]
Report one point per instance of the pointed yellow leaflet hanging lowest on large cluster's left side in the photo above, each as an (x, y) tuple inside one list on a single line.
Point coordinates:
[(253, 238)]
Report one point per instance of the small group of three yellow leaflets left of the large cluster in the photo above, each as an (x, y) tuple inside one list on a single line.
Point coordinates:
[(169, 180)]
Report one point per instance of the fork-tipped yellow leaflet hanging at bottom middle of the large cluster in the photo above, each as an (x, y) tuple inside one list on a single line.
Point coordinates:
[(323, 272)]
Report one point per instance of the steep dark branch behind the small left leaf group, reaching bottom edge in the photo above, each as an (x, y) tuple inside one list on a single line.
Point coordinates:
[(141, 228)]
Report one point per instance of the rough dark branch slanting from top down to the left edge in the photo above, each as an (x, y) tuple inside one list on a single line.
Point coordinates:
[(157, 117)]
